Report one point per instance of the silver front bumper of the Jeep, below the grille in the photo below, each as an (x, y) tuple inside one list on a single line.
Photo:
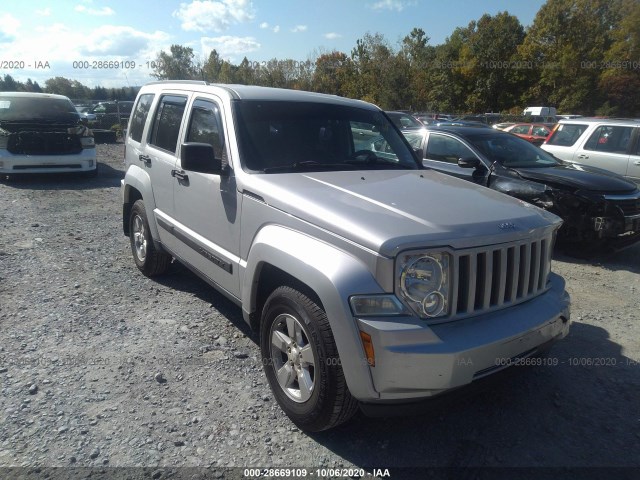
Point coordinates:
[(414, 360)]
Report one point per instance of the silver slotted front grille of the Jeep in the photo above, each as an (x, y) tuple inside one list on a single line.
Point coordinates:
[(493, 277)]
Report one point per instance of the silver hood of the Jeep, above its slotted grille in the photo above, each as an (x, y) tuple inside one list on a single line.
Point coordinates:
[(390, 210)]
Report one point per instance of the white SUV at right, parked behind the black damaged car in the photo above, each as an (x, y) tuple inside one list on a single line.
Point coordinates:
[(613, 145)]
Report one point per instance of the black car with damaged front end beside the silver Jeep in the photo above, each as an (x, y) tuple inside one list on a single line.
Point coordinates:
[(599, 208)]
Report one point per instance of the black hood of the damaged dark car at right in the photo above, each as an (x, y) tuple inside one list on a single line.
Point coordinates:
[(579, 177)]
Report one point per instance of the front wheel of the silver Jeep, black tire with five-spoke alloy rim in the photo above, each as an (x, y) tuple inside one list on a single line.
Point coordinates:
[(301, 362)]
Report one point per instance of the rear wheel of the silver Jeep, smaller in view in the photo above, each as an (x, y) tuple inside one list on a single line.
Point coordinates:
[(149, 261)]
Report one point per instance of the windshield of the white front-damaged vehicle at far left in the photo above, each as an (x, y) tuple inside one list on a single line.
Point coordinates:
[(25, 109)]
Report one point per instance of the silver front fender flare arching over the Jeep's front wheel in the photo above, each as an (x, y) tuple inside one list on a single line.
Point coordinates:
[(321, 271)]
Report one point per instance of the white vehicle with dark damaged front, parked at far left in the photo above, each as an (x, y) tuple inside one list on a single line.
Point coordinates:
[(42, 133)]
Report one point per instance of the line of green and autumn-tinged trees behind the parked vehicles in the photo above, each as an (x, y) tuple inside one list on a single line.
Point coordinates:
[(580, 56)]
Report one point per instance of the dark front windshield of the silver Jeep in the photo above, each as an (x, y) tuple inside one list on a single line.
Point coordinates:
[(276, 137)]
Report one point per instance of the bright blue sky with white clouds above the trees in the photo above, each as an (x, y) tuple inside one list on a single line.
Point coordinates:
[(43, 39)]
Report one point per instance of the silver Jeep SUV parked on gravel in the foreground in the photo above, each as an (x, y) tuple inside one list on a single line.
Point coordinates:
[(371, 280)]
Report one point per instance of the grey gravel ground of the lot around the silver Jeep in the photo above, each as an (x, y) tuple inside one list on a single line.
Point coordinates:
[(100, 366)]
